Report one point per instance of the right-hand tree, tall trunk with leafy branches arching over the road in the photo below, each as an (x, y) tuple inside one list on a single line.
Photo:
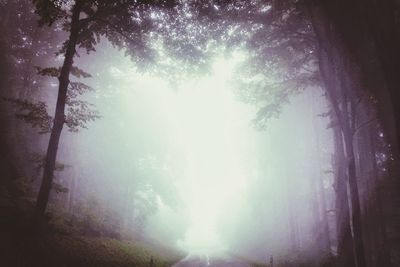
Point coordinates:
[(293, 41)]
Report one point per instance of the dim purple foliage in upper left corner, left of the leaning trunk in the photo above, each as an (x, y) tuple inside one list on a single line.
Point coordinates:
[(26, 45)]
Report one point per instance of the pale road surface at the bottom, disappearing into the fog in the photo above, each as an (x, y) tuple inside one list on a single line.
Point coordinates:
[(205, 261)]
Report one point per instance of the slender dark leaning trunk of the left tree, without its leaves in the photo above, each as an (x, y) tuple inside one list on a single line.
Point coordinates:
[(59, 117)]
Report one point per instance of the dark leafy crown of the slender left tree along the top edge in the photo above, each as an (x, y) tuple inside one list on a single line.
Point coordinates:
[(125, 23)]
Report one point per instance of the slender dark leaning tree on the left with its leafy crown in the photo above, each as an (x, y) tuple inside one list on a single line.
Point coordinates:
[(125, 23)]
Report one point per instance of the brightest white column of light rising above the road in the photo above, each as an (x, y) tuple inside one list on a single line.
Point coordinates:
[(210, 125)]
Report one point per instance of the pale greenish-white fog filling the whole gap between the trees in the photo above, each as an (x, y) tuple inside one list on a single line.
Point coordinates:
[(186, 166)]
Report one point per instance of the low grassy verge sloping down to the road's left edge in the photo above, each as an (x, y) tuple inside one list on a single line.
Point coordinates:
[(64, 250)]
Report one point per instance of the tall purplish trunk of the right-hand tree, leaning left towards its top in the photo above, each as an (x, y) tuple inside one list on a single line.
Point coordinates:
[(334, 68)]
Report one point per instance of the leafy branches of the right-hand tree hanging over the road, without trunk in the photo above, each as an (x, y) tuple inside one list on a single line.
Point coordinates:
[(280, 37)]
